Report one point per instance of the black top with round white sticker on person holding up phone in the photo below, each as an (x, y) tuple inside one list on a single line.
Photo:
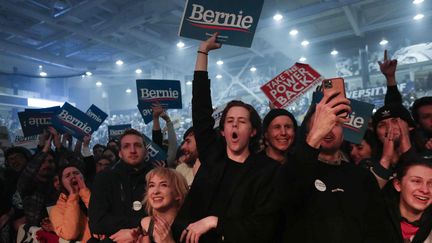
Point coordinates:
[(329, 203)]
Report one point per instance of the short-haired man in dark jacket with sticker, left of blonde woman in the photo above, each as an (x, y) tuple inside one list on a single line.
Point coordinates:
[(115, 208)]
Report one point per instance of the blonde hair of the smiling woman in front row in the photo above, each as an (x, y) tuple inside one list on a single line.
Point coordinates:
[(175, 180)]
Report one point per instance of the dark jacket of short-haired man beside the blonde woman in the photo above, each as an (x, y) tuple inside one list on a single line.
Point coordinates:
[(113, 192)]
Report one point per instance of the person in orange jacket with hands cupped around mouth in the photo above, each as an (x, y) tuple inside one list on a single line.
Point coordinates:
[(69, 215)]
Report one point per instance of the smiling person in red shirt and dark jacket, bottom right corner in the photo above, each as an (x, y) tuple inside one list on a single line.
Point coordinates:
[(408, 200)]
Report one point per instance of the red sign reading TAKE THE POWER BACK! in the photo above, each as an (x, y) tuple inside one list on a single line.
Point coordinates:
[(291, 84)]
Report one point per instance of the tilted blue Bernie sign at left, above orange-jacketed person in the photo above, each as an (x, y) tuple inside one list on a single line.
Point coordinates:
[(73, 121)]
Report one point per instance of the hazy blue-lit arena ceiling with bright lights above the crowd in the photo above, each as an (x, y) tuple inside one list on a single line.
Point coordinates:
[(70, 37)]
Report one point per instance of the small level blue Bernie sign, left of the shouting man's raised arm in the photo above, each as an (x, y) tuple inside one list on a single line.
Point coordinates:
[(165, 92)]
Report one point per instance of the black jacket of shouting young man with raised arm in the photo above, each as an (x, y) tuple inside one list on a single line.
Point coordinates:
[(248, 215)]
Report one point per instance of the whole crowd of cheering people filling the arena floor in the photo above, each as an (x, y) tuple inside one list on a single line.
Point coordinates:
[(248, 180)]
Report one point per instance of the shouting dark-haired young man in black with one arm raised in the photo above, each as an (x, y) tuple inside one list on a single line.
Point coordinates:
[(229, 199)]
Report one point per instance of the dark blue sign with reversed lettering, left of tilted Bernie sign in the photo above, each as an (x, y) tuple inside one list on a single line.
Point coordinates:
[(34, 121)]
